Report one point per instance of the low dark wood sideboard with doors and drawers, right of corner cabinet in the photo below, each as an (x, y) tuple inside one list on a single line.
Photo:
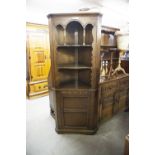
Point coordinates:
[(114, 96)]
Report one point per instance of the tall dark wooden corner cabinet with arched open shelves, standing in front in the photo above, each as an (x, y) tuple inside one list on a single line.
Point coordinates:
[(74, 75)]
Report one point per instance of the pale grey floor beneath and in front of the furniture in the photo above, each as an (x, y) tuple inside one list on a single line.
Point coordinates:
[(43, 140)]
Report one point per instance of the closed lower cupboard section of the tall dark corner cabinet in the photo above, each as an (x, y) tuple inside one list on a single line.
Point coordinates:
[(75, 111)]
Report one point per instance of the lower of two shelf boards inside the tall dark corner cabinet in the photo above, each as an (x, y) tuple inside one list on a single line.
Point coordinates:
[(73, 67)]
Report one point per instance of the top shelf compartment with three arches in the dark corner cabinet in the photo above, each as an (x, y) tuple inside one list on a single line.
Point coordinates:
[(74, 33)]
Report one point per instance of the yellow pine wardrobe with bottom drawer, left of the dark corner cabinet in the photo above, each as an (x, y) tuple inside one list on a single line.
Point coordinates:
[(38, 59)]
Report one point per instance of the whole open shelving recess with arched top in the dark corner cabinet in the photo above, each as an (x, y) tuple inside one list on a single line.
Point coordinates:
[(74, 55)]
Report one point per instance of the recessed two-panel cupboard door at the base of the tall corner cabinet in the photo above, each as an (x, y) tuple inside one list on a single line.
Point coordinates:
[(75, 111)]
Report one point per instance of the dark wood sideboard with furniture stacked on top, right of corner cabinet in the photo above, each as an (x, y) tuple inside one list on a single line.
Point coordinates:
[(114, 81)]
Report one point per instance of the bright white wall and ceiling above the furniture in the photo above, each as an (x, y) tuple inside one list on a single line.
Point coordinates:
[(115, 13)]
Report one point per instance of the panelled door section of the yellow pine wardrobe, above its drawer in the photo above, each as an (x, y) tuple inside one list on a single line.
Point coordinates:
[(38, 52)]
